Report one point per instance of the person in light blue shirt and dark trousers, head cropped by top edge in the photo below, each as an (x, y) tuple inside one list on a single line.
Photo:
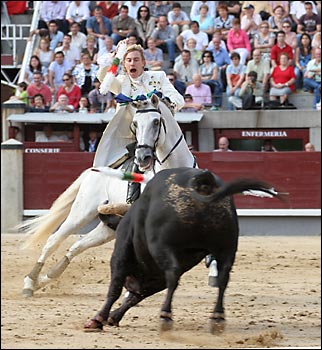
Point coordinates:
[(53, 10)]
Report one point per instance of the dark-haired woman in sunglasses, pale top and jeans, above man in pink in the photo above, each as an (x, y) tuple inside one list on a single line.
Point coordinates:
[(210, 75)]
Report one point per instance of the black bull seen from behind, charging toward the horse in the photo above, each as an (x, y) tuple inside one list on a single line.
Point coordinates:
[(182, 215)]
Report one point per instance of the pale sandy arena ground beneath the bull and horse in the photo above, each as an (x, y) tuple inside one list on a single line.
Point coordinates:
[(273, 300)]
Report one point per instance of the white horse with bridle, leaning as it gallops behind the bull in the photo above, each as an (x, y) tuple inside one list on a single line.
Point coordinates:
[(159, 137)]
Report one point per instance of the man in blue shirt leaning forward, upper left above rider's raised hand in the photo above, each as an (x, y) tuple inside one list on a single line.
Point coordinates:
[(99, 26)]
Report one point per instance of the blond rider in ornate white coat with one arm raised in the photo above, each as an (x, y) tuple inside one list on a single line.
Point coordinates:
[(132, 82)]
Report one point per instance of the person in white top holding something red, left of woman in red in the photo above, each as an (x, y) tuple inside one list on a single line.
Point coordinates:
[(235, 74)]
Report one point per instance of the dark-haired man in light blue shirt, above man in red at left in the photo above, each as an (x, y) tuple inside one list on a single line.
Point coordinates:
[(57, 69)]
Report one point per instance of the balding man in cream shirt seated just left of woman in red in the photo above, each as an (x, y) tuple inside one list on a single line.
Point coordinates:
[(262, 68)]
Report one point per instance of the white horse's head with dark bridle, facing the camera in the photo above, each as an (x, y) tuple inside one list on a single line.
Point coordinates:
[(147, 125)]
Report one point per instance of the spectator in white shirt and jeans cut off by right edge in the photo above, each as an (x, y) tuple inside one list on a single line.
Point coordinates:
[(312, 77)]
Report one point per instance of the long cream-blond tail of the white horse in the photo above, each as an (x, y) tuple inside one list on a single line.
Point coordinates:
[(40, 228)]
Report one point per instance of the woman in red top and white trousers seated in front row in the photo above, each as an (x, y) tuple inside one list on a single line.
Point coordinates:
[(282, 80)]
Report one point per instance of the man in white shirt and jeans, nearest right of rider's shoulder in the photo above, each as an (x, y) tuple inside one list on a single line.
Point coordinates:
[(184, 70)]
